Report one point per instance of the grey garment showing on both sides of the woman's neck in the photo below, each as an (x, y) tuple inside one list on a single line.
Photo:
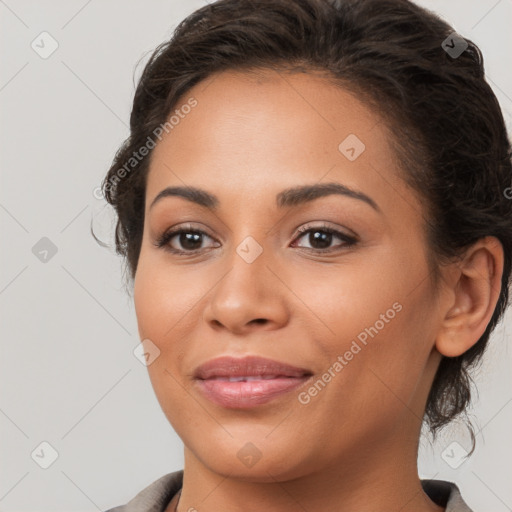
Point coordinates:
[(156, 497)]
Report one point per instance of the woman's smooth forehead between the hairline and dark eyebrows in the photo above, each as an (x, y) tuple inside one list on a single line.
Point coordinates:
[(251, 133)]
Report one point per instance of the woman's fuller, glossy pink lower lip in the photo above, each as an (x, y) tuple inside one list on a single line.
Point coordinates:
[(247, 394)]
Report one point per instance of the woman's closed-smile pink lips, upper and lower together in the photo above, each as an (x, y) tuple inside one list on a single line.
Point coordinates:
[(269, 379)]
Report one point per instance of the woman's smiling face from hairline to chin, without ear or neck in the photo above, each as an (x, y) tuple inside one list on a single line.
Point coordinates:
[(354, 311)]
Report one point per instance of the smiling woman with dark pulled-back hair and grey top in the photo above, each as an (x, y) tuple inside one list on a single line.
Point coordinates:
[(312, 206)]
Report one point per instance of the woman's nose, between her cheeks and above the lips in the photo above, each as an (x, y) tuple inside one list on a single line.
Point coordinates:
[(248, 297)]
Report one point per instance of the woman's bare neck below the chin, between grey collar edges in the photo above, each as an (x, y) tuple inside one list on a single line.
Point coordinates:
[(378, 476)]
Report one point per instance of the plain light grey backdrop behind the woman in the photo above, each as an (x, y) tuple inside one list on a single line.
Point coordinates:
[(68, 375)]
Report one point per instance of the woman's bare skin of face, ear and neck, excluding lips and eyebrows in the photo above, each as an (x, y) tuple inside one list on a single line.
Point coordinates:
[(249, 137)]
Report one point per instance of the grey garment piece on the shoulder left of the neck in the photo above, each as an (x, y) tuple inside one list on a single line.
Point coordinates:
[(156, 496)]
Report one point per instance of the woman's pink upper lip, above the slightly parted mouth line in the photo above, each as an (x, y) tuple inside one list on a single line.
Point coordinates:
[(227, 366)]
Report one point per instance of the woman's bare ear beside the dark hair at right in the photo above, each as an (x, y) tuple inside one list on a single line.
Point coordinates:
[(475, 286)]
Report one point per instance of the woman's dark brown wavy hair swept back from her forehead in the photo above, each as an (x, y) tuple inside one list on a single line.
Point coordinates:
[(445, 123)]
